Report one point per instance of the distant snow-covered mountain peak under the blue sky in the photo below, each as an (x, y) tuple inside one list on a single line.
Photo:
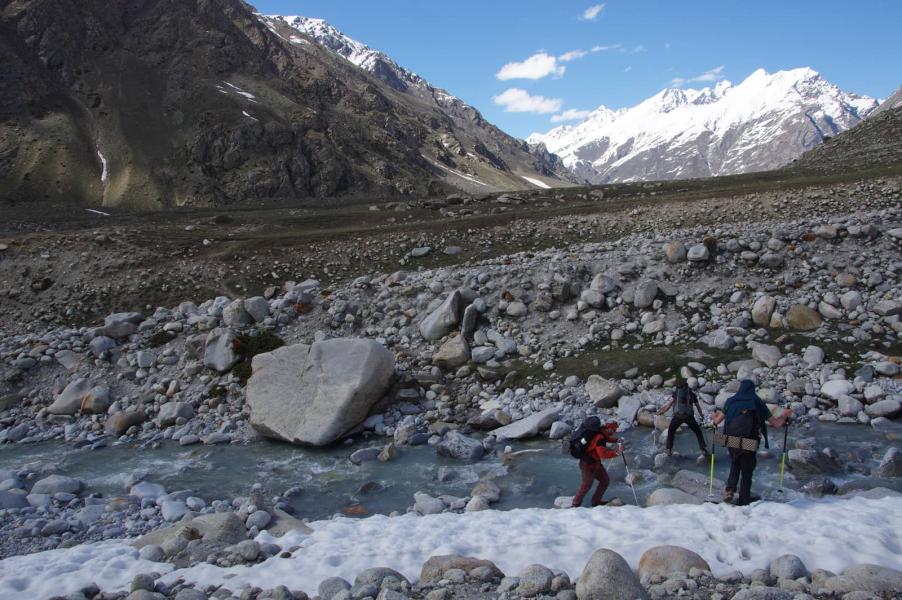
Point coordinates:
[(763, 123)]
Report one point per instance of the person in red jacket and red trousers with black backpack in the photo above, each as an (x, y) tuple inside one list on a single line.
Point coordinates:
[(588, 444)]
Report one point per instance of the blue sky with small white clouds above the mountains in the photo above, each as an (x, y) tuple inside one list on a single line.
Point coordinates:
[(480, 51)]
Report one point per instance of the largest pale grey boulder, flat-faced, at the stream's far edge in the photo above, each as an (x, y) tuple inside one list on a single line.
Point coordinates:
[(313, 395)]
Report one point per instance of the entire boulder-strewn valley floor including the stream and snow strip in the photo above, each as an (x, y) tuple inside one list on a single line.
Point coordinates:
[(255, 412)]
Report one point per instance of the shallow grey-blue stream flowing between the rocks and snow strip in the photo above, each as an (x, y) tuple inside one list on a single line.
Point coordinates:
[(538, 472)]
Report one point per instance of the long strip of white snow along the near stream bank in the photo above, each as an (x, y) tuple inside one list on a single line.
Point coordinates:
[(830, 534)]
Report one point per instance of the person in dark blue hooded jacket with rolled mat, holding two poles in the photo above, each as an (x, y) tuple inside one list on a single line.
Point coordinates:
[(745, 418)]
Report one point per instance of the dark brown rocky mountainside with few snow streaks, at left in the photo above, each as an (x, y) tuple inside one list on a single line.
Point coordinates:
[(155, 103)]
